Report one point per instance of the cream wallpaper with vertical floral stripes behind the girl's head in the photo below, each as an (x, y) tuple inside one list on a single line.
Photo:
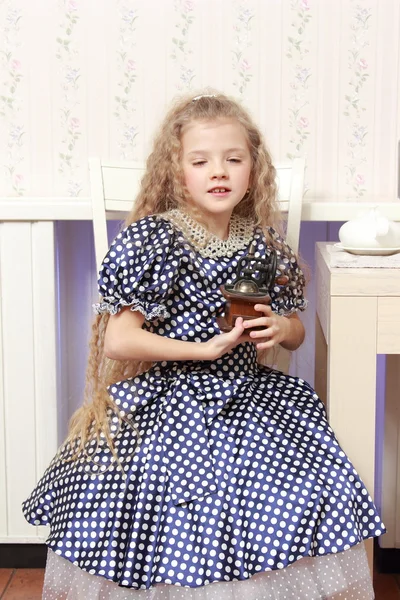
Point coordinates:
[(111, 69)]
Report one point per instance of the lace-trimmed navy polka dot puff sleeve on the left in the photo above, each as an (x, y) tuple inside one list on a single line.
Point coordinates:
[(139, 270)]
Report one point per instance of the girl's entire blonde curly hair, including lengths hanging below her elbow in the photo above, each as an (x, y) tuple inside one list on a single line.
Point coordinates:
[(162, 189)]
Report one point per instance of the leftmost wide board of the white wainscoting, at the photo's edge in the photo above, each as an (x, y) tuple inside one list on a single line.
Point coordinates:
[(19, 370)]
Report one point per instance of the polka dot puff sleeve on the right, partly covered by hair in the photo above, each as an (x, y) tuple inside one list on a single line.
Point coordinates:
[(288, 297)]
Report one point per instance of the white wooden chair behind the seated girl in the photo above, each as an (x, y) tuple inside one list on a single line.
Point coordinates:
[(114, 186)]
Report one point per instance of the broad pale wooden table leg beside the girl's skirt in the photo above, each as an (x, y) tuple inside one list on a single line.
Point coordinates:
[(351, 383)]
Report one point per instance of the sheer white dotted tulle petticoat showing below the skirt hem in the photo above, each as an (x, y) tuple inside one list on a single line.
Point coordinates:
[(343, 576)]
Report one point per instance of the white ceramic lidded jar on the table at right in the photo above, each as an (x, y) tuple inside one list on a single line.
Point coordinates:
[(370, 230)]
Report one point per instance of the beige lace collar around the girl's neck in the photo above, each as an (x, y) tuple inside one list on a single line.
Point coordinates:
[(241, 232)]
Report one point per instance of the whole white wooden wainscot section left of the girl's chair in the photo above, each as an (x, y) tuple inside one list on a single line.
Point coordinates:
[(28, 347)]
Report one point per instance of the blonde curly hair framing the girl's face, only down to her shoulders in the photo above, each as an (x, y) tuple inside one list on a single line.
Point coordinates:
[(163, 187)]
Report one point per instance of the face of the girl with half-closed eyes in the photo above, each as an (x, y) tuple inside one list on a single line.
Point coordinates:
[(216, 165)]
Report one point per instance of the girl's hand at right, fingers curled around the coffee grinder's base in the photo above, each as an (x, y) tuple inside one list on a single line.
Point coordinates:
[(277, 328)]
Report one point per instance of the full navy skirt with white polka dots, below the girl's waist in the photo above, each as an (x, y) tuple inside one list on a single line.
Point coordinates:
[(235, 475)]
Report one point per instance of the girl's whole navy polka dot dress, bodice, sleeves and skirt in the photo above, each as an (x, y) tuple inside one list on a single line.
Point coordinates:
[(231, 473)]
